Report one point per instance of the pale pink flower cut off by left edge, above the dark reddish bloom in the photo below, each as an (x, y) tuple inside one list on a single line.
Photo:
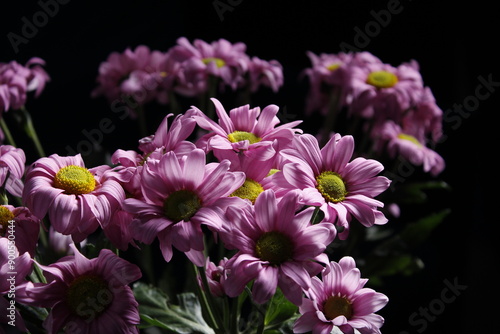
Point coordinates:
[(12, 167)]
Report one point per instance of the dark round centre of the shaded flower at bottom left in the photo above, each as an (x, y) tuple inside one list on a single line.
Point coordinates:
[(88, 296)]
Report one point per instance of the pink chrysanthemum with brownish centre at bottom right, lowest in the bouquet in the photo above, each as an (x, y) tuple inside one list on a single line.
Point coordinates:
[(340, 300)]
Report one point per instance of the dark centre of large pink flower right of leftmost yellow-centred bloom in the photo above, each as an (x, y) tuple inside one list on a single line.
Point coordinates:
[(181, 205)]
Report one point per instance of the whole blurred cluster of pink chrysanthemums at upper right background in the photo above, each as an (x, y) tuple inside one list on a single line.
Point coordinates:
[(401, 112)]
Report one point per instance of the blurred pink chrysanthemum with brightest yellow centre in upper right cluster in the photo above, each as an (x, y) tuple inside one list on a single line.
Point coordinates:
[(382, 91)]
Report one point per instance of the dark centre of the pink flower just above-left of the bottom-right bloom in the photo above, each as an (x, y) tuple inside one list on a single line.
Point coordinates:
[(274, 247)]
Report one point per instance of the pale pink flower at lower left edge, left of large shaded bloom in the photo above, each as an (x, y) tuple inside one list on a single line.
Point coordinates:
[(14, 267)]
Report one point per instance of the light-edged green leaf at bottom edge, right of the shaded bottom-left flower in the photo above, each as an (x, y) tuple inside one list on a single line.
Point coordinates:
[(156, 310)]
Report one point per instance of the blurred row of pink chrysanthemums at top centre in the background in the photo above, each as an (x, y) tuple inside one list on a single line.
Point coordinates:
[(188, 69)]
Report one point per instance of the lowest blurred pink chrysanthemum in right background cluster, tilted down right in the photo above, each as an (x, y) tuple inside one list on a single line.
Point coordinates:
[(401, 142)]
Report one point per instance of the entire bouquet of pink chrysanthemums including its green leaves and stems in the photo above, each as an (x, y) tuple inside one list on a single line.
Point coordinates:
[(228, 217)]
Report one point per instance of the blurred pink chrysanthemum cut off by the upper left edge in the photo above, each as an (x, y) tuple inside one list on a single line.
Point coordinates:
[(17, 80)]
